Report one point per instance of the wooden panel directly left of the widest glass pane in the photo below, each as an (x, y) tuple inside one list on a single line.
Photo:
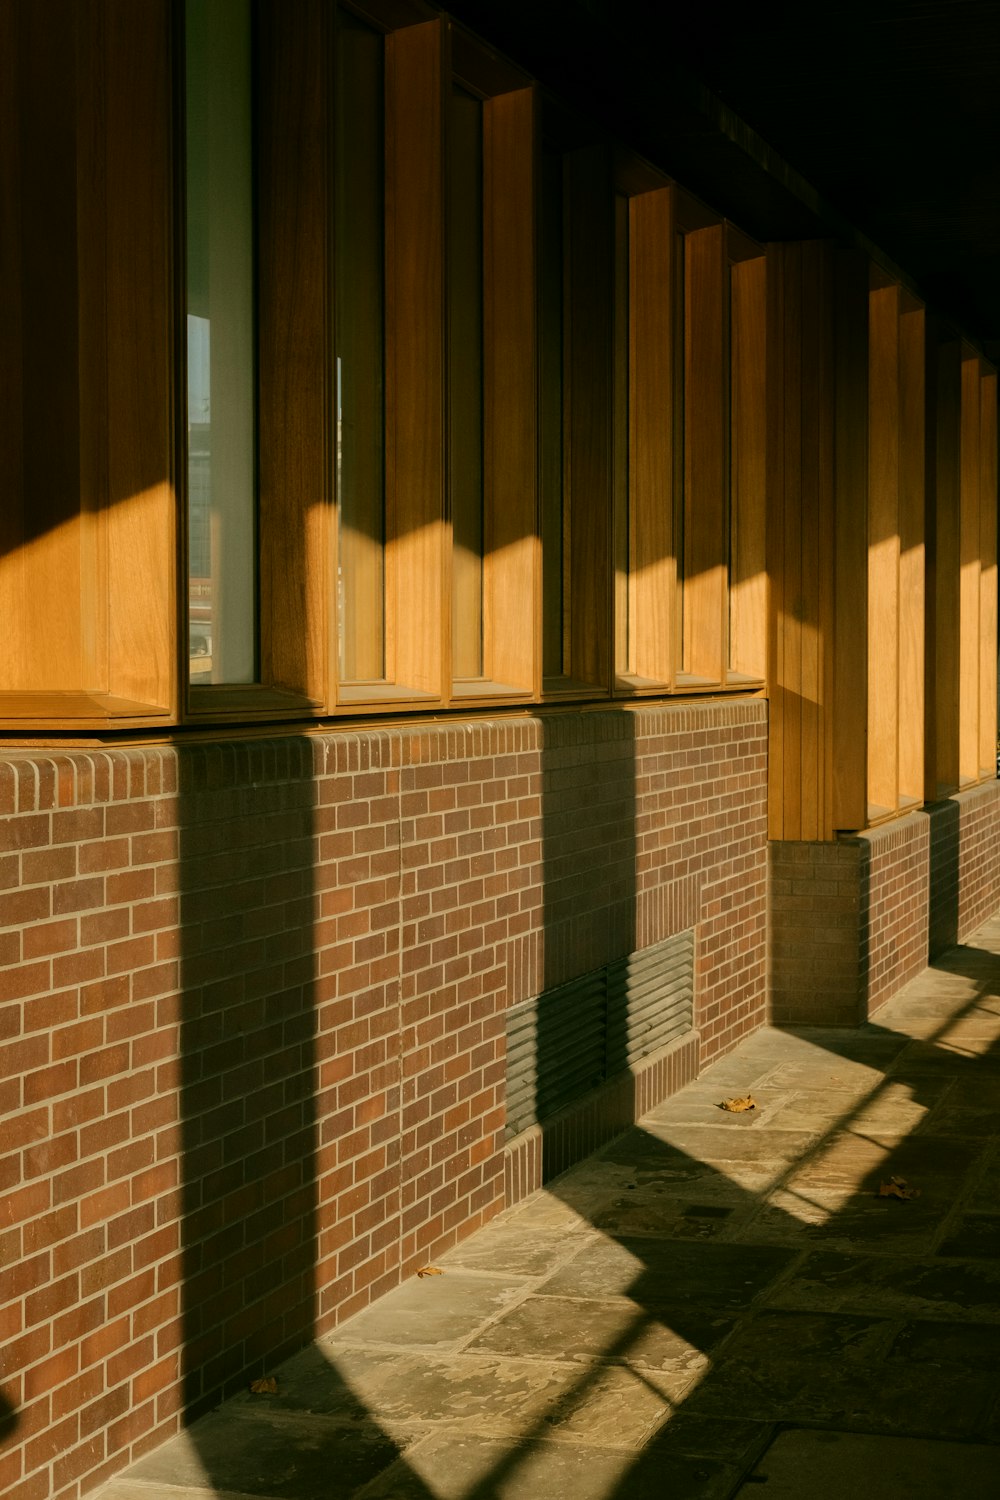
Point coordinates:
[(140, 349)]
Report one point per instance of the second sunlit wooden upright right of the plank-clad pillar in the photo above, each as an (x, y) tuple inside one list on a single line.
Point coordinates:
[(912, 559)]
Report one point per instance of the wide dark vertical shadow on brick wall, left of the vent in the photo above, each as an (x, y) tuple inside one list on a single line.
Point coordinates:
[(248, 1061)]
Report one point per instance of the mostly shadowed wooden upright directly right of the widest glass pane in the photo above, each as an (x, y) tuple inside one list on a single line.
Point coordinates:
[(295, 322)]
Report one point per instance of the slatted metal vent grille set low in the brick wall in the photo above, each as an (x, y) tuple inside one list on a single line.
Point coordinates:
[(570, 1040)]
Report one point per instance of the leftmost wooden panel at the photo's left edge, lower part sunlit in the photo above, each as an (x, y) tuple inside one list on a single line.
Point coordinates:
[(41, 563)]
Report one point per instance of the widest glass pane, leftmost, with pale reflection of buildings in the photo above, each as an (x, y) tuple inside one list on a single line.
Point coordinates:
[(221, 416)]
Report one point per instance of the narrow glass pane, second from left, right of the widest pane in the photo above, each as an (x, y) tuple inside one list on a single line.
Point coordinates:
[(361, 323)]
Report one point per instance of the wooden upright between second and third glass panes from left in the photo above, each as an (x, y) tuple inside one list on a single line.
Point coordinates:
[(415, 365)]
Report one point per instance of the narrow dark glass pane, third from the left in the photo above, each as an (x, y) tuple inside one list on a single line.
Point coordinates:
[(466, 380)]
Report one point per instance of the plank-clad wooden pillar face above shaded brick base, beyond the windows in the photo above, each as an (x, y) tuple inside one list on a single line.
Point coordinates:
[(804, 541)]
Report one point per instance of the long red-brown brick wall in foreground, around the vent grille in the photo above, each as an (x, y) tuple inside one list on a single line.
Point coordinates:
[(253, 1025)]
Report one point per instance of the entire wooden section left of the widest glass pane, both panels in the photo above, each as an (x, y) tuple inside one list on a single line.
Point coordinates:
[(89, 544)]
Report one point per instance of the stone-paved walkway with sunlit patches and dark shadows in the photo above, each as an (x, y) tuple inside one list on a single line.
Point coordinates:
[(714, 1306)]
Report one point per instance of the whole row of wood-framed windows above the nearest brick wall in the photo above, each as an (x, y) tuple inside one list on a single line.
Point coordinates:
[(424, 394)]
